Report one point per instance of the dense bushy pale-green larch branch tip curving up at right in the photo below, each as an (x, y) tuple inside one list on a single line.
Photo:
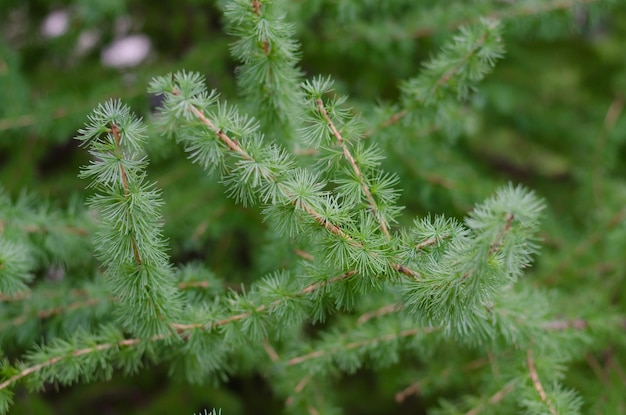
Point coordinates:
[(477, 266)]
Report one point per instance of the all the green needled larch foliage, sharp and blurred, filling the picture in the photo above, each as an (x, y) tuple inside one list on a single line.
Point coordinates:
[(362, 250)]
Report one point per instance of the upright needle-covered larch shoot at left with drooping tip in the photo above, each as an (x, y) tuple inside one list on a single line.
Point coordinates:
[(129, 239)]
